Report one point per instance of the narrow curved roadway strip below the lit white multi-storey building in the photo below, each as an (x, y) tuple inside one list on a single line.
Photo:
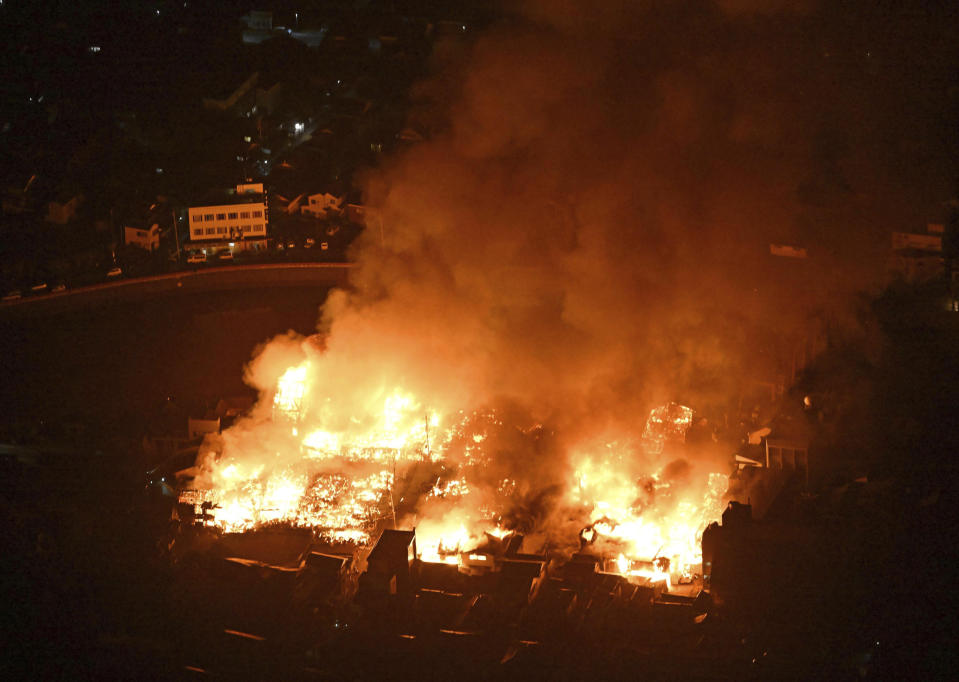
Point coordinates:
[(233, 277)]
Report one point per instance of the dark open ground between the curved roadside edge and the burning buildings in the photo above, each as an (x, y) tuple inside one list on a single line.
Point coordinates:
[(109, 356)]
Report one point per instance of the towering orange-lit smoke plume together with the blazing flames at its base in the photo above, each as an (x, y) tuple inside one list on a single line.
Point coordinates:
[(583, 237)]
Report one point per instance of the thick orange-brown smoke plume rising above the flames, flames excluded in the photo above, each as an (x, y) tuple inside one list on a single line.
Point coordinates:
[(586, 232)]
